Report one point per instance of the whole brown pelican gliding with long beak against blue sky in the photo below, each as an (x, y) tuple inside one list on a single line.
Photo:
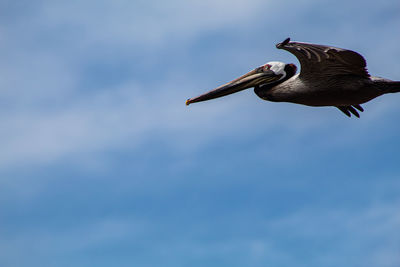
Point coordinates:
[(329, 76)]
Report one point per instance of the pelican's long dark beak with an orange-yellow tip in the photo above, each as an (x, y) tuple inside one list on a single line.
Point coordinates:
[(254, 78)]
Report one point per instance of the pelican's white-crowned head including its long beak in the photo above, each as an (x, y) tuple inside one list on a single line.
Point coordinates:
[(271, 73)]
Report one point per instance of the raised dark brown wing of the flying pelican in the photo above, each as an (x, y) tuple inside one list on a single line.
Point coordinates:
[(323, 61)]
